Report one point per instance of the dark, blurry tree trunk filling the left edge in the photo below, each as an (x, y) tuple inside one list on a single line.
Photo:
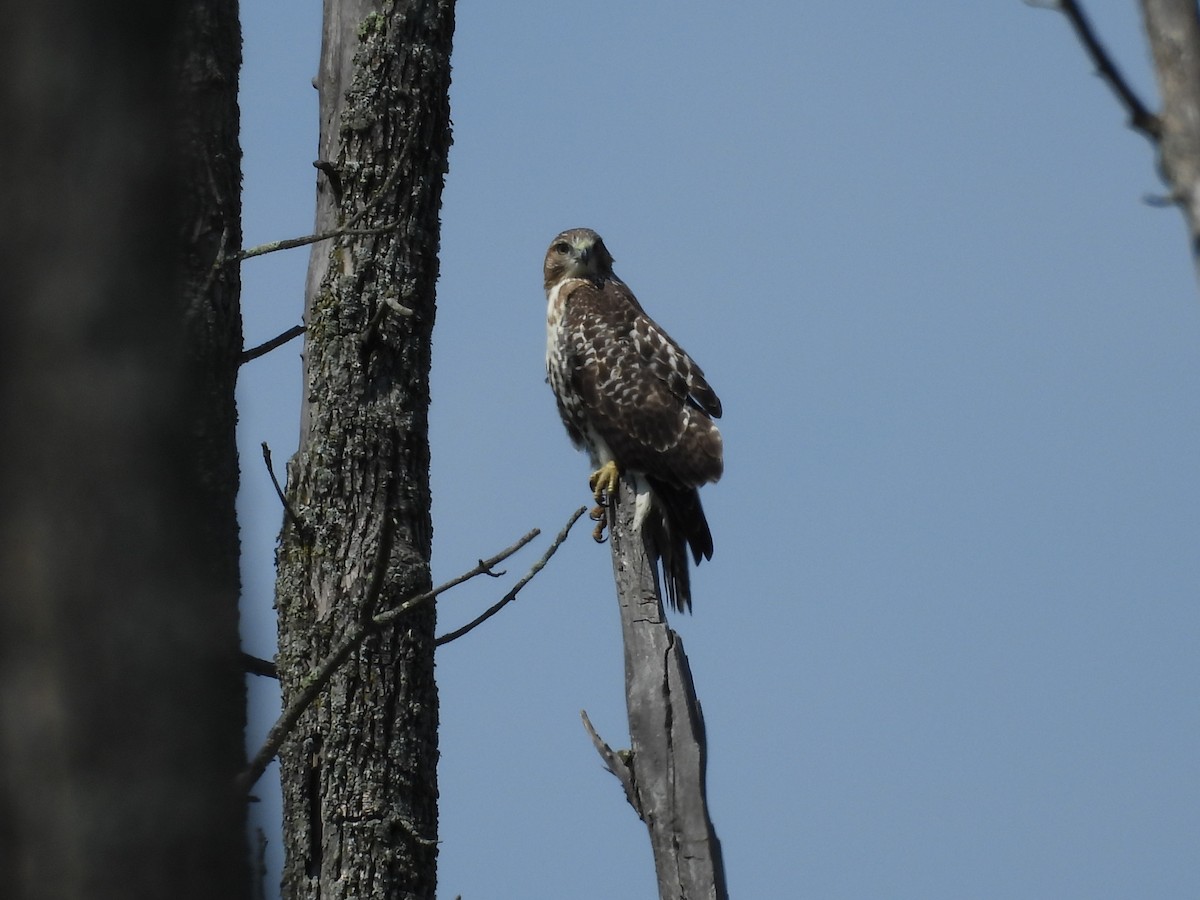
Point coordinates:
[(122, 694)]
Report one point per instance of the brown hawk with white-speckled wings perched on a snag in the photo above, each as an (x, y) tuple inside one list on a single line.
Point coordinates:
[(634, 400)]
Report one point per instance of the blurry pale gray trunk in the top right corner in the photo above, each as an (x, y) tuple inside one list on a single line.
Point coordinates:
[(1174, 31)]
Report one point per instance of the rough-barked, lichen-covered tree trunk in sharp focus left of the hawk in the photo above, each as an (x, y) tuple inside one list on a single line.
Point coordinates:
[(359, 771)]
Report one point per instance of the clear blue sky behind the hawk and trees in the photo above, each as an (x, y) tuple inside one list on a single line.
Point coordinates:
[(947, 646)]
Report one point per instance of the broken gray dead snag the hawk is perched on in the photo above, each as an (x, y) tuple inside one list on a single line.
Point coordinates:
[(668, 761)]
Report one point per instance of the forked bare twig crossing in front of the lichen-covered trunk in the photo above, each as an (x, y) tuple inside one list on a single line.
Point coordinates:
[(319, 679)]
